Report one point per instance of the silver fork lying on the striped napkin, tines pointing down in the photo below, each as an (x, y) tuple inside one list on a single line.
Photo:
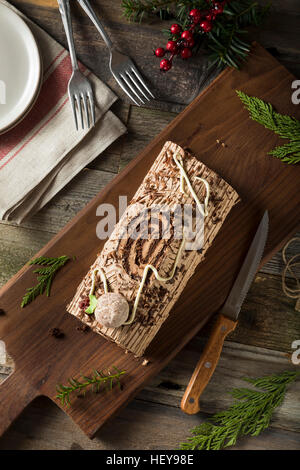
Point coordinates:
[(79, 88)]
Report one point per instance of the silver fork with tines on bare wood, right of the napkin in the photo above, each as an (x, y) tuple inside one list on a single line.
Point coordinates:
[(121, 66)]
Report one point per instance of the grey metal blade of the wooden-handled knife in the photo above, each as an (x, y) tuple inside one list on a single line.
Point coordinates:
[(235, 299)]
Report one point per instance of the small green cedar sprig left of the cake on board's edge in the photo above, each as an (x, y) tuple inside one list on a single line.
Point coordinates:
[(45, 277)]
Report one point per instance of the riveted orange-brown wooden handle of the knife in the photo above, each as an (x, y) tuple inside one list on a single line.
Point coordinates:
[(207, 364)]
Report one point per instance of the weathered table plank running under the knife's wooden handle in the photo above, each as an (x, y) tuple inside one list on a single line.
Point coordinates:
[(236, 361)]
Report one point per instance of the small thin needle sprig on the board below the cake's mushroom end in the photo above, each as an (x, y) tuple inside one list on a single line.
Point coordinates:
[(99, 380)]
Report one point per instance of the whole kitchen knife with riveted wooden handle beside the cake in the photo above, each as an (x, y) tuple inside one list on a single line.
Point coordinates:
[(226, 320)]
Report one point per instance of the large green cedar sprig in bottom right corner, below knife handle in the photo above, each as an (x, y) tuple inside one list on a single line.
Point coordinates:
[(250, 414)]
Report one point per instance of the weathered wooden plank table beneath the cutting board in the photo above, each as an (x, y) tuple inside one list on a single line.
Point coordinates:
[(268, 322)]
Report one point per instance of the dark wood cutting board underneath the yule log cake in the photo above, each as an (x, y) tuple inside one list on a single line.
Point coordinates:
[(262, 181)]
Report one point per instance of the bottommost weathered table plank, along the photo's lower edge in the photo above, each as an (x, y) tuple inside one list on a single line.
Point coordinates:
[(140, 426)]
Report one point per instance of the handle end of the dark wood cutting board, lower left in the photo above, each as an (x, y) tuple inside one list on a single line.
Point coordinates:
[(15, 395)]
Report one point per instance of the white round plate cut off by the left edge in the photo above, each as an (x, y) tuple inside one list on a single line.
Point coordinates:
[(20, 68)]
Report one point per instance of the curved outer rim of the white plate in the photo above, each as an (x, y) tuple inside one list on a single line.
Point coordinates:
[(35, 58)]
